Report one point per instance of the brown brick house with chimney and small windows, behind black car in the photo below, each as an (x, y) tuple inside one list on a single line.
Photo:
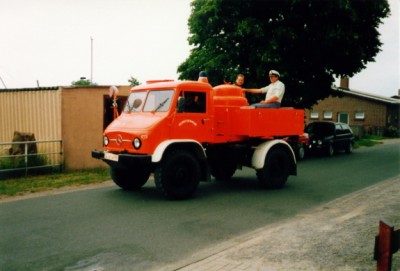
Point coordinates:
[(366, 113)]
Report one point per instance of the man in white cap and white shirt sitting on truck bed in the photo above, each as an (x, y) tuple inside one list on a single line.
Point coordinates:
[(274, 91)]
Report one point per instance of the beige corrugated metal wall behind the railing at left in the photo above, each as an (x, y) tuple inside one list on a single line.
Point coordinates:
[(36, 111)]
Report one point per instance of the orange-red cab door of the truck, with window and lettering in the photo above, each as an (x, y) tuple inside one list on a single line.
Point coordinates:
[(192, 120)]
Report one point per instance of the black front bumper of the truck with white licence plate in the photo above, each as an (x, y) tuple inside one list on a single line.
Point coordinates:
[(122, 160)]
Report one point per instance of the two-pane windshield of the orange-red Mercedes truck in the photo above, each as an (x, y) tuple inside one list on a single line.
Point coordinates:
[(152, 101)]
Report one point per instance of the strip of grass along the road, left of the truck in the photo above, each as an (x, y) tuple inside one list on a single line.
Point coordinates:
[(33, 184)]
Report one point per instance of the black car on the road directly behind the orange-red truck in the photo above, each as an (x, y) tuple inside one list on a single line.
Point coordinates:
[(329, 137)]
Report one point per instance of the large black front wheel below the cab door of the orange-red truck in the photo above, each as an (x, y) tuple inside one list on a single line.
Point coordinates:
[(178, 175)]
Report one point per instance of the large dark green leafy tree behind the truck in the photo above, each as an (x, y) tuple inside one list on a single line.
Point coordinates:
[(310, 42)]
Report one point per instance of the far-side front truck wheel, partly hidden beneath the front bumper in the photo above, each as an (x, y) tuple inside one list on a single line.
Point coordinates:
[(129, 179)]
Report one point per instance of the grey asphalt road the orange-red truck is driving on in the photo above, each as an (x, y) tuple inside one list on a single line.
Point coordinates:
[(110, 229)]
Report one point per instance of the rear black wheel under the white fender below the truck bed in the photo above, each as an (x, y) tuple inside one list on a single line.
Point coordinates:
[(275, 172)]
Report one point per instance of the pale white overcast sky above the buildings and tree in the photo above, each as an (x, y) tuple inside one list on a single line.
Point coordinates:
[(55, 42)]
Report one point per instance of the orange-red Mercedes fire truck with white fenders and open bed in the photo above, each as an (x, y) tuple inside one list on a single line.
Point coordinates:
[(185, 131)]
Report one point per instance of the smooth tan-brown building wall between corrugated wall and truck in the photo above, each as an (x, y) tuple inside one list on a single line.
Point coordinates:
[(82, 124)]
